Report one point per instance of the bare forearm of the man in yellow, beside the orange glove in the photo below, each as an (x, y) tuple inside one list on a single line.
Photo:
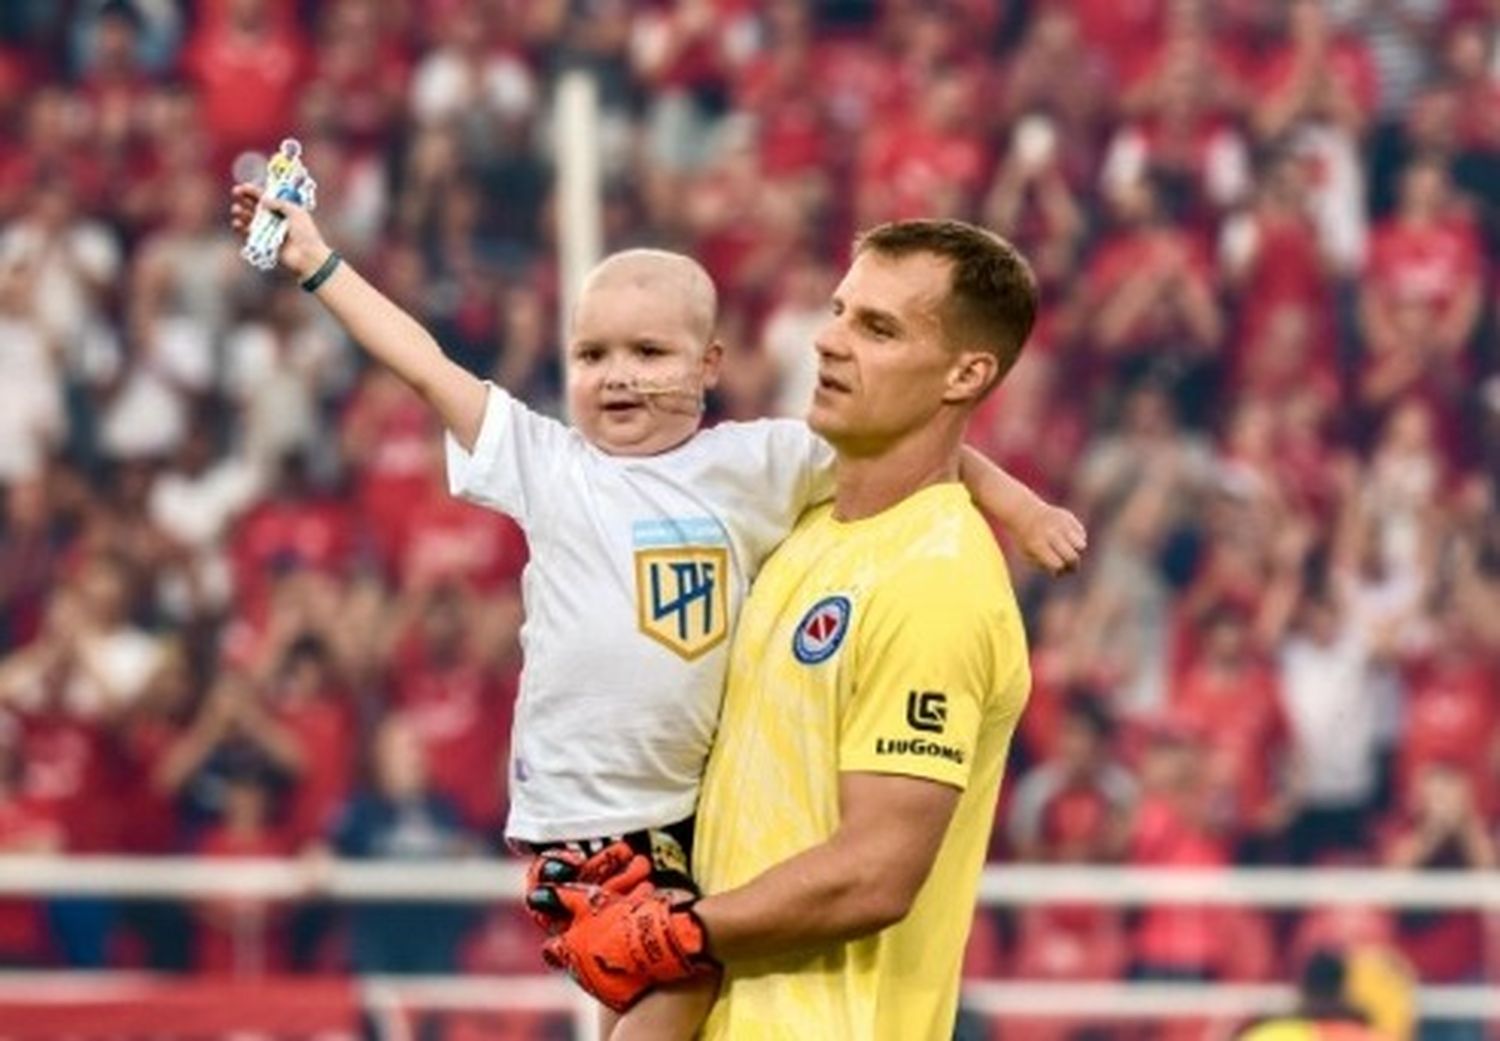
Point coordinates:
[(814, 899)]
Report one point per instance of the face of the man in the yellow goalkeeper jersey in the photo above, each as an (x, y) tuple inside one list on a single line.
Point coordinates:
[(883, 356)]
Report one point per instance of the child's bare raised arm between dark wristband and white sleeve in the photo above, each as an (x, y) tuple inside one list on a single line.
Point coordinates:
[(398, 341)]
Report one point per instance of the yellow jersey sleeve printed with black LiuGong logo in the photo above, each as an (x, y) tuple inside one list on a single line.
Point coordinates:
[(925, 670)]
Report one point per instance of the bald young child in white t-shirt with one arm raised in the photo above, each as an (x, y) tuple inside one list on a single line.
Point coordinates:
[(646, 532)]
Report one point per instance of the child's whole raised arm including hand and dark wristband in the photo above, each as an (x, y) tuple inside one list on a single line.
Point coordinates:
[(371, 319)]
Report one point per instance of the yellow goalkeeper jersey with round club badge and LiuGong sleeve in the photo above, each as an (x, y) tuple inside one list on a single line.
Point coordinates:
[(890, 646)]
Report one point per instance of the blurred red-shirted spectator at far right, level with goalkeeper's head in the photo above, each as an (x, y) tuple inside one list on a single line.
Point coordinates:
[(1423, 295)]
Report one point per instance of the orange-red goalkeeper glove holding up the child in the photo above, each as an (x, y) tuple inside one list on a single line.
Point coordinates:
[(619, 949)]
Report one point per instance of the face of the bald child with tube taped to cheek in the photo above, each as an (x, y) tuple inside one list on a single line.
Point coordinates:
[(637, 370)]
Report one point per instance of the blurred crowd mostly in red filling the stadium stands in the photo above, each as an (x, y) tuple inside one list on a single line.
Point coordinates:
[(236, 602)]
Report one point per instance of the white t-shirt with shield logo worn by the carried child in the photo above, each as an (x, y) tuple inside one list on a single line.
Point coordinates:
[(637, 575)]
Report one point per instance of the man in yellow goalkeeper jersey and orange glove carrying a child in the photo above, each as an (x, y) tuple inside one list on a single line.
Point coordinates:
[(878, 674)]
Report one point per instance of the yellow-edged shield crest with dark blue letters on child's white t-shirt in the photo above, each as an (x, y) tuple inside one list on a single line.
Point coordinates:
[(683, 598)]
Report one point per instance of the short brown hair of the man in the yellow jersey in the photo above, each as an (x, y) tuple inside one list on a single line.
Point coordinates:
[(992, 299)]
